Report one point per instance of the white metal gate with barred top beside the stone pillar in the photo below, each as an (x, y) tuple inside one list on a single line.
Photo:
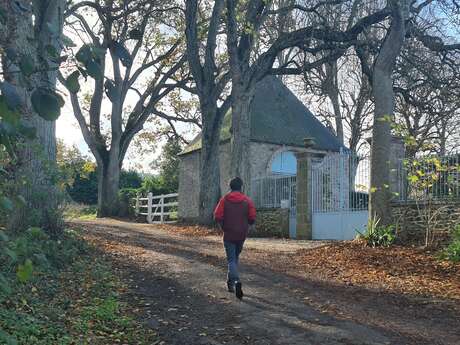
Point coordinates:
[(339, 187)]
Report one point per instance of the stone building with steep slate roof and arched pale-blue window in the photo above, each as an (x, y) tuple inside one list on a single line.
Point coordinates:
[(280, 123)]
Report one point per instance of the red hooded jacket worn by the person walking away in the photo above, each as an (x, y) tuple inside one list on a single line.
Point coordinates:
[(234, 212)]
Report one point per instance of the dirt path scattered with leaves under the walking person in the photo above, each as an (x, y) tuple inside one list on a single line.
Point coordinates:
[(182, 281)]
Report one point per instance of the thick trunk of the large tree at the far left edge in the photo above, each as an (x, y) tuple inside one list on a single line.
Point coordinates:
[(36, 172)]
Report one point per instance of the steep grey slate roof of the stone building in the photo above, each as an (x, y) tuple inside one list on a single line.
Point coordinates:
[(279, 117)]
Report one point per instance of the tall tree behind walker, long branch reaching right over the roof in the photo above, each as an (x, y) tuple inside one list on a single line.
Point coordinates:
[(324, 44)]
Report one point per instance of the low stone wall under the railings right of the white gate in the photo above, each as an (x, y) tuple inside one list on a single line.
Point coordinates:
[(411, 225)]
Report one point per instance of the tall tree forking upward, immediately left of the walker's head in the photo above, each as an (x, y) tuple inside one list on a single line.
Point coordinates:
[(211, 78)]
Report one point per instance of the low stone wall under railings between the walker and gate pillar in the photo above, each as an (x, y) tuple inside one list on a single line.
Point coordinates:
[(273, 222)]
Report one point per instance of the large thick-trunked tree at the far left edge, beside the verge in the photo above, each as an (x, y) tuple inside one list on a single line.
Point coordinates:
[(31, 46)]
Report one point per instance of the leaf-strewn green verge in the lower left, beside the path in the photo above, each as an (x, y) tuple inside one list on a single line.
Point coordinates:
[(63, 292)]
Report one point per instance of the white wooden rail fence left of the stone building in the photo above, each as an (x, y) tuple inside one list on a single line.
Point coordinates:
[(158, 209)]
